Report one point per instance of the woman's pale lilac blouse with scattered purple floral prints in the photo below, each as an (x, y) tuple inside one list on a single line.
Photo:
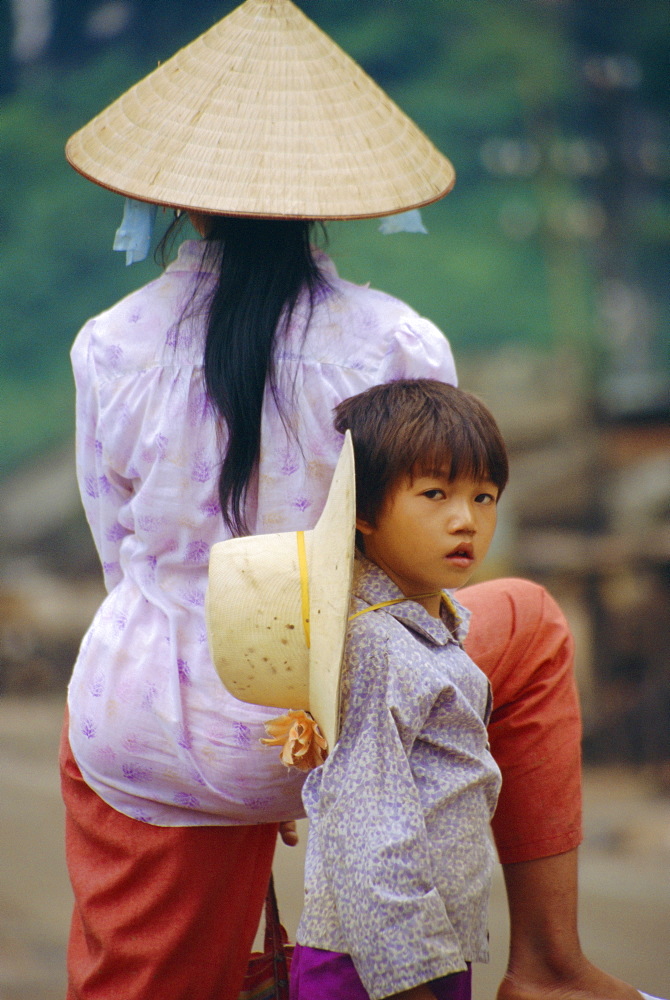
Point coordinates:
[(152, 728)]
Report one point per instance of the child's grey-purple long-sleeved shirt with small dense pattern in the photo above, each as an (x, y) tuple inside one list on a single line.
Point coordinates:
[(399, 857)]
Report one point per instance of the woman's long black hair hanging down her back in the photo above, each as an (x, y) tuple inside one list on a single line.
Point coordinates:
[(263, 265)]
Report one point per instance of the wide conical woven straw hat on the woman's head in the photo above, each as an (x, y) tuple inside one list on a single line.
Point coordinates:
[(262, 115)]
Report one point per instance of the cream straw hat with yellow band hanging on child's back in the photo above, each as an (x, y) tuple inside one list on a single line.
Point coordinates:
[(277, 606)]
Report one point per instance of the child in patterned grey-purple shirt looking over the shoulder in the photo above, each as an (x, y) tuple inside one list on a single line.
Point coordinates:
[(399, 859)]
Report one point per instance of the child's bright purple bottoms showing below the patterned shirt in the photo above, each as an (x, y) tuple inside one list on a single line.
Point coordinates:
[(317, 974)]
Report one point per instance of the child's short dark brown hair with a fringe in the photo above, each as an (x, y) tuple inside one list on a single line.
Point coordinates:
[(418, 427)]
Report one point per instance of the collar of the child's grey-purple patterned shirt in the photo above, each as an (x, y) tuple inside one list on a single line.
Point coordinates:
[(373, 586)]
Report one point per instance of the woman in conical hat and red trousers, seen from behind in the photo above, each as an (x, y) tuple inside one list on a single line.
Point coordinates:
[(204, 410)]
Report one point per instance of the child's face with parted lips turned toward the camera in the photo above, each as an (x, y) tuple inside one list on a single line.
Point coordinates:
[(431, 534)]
